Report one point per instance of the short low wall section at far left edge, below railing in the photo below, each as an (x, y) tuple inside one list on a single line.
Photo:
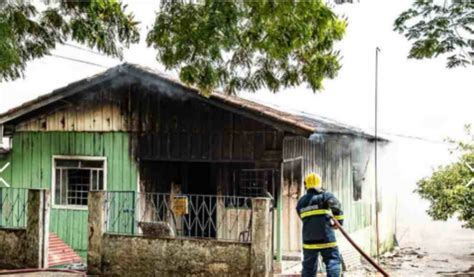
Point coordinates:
[(12, 248)]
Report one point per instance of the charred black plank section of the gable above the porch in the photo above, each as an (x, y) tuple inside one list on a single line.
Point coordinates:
[(186, 129)]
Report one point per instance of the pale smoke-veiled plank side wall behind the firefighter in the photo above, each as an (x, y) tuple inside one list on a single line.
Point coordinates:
[(333, 157)]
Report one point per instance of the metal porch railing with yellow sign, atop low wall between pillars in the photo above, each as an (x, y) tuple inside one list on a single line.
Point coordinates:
[(217, 217)]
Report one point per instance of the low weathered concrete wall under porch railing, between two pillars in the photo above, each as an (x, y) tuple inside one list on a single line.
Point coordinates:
[(149, 256)]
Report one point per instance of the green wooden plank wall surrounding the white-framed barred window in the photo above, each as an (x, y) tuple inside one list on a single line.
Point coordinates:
[(31, 167)]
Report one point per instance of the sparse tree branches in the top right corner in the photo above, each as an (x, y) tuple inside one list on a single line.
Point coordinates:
[(439, 29)]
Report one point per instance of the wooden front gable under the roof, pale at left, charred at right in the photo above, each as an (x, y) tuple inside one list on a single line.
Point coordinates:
[(164, 126)]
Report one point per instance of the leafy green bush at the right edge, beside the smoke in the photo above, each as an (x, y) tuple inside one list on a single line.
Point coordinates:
[(450, 189)]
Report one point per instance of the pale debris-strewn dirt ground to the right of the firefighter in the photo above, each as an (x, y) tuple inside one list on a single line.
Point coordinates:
[(429, 249)]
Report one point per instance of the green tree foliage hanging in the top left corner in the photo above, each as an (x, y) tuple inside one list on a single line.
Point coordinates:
[(27, 34)]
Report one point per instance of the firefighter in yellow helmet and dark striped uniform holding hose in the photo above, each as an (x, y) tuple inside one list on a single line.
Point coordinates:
[(315, 209)]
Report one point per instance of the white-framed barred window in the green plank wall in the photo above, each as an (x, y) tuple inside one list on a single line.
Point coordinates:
[(74, 178)]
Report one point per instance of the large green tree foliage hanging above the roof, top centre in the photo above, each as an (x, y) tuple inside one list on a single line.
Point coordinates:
[(249, 44)]
